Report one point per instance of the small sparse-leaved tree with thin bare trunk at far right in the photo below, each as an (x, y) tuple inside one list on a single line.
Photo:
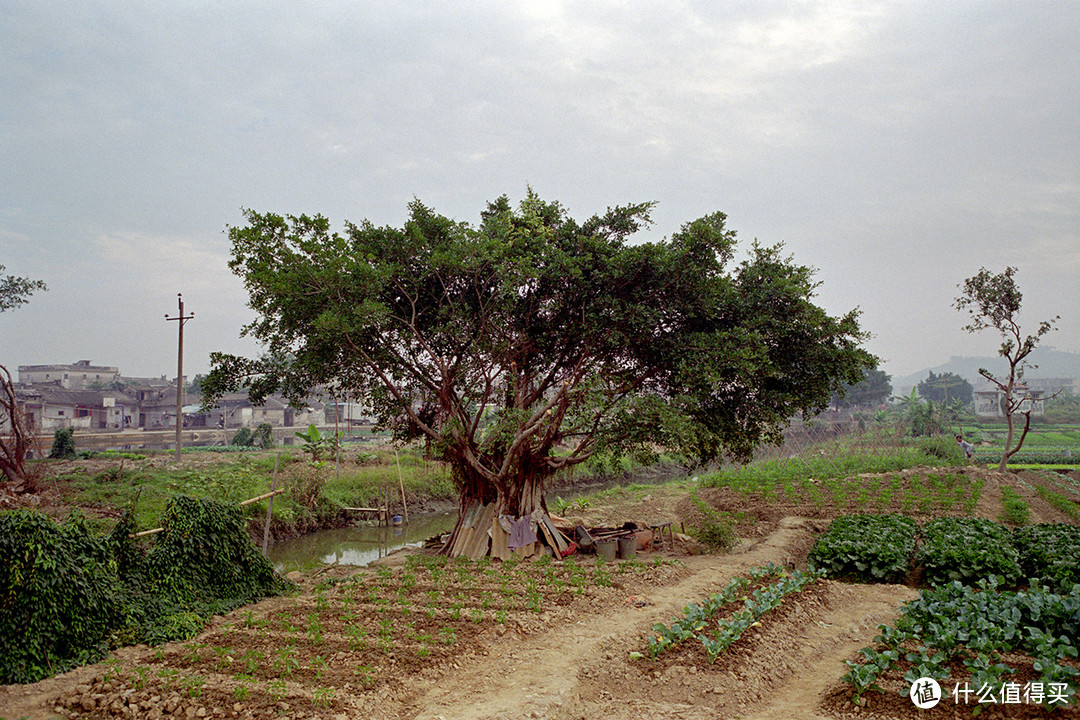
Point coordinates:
[(994, 302)]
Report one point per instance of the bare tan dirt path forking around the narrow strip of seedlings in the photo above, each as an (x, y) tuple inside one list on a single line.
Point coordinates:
[(582, 670)]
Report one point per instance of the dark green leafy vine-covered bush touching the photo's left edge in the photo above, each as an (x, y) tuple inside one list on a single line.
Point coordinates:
[(58, 601)]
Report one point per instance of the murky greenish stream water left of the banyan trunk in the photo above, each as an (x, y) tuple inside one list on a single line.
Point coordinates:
[(356, 546)]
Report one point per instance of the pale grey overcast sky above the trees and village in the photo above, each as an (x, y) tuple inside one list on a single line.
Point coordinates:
[(898, 147)]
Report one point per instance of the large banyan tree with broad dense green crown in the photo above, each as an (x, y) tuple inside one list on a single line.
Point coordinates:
[(533, 343)]
